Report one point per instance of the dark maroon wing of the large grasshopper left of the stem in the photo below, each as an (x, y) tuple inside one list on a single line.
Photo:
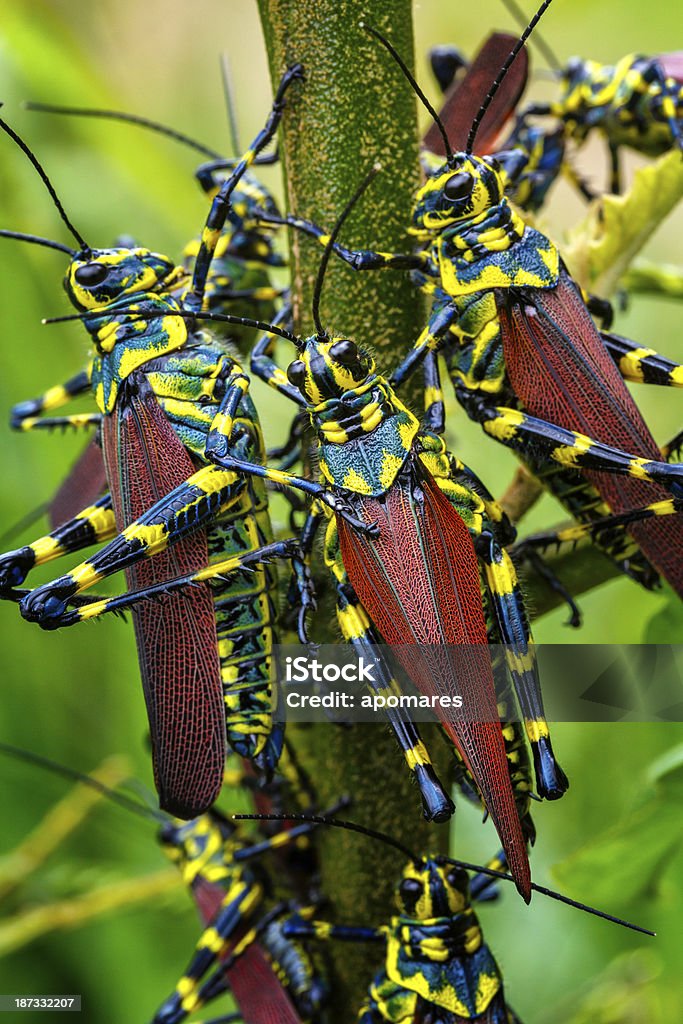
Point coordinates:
[(177, 639)]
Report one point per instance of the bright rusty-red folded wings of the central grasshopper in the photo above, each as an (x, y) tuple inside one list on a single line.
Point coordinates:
[(420, 583)]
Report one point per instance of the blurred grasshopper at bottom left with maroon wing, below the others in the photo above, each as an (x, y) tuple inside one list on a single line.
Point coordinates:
[(273, 979)]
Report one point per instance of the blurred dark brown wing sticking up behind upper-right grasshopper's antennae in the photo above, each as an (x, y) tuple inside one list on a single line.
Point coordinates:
[(463, 101)]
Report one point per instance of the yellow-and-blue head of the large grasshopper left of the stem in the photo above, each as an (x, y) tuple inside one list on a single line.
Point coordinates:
[(106, 276)]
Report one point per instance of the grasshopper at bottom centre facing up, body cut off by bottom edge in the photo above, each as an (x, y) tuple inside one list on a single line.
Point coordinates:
[(438, 966)]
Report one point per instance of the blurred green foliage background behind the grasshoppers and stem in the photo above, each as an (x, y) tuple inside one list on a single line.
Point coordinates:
[(75, 696)]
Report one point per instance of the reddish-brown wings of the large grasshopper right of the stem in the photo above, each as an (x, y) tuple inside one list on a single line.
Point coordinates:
[(562, 372)]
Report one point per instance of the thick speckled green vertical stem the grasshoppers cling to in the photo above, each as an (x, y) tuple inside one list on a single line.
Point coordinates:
[(354, 110)]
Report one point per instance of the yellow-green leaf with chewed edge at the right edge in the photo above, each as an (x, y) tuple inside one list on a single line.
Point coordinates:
[(616, 229)]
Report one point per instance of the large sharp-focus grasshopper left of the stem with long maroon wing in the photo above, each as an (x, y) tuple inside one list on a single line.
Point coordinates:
[(158, 389)]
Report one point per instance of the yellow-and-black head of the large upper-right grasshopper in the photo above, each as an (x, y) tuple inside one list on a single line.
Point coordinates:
[(462, 190)]
